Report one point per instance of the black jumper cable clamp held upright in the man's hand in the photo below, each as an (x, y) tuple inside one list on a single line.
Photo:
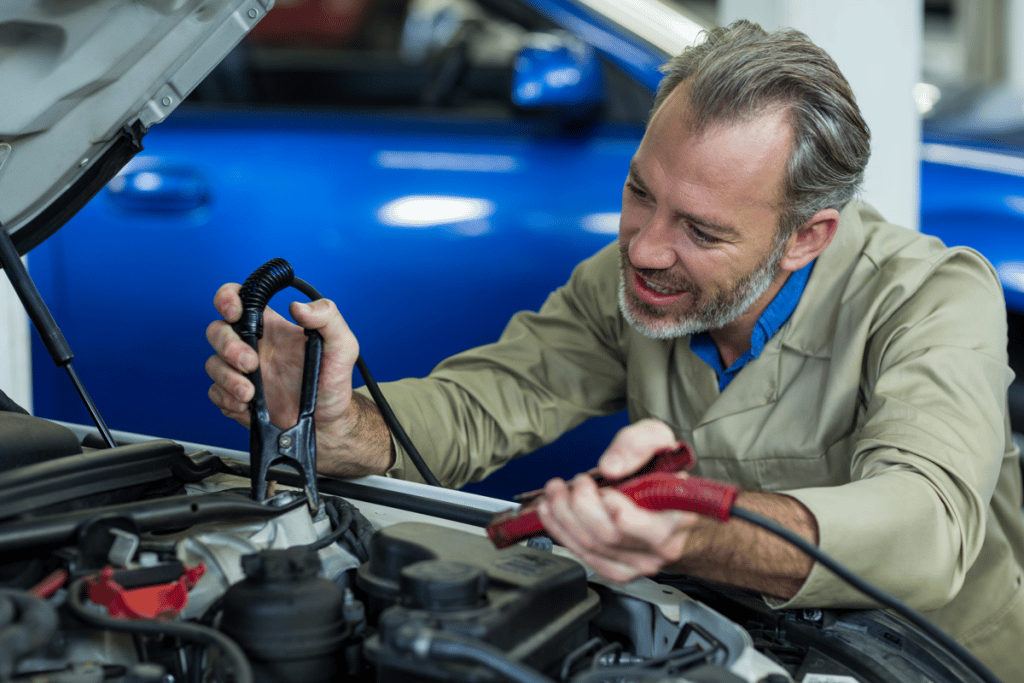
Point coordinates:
[(270, 445)]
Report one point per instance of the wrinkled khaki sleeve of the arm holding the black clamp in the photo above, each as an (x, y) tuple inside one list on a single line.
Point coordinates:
[(548, 372)]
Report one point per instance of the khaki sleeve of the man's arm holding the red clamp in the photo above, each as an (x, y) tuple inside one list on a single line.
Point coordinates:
[(930, 450)]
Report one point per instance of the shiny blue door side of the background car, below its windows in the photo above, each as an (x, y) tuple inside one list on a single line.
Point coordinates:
[(413, 292)]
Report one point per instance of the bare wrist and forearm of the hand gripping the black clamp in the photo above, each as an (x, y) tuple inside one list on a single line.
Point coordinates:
[(356, 445)]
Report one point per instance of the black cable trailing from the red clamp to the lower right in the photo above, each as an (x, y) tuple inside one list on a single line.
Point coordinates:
[(871, 591)]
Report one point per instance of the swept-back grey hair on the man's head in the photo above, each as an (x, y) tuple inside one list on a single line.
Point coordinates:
[(740, 71)]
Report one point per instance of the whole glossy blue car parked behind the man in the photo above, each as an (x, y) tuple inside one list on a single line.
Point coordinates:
[(434, 167)]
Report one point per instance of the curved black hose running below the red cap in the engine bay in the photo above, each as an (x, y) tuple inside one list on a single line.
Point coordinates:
[(183, 630)]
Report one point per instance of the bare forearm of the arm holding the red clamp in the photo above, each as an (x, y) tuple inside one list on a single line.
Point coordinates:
[(741, 554)]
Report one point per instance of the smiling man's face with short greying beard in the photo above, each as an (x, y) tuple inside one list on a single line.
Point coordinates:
[(699, 223)]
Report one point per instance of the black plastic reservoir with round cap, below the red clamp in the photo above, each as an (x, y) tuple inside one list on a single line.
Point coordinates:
[(530, 607)]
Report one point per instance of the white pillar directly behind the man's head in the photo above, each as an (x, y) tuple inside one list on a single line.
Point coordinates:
[(878, 46)]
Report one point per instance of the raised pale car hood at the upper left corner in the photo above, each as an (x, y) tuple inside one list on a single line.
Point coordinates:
[(82, 82)]
